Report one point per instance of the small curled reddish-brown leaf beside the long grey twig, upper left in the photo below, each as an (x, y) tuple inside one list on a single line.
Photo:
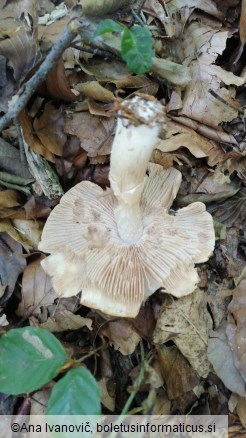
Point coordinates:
[(57, 83)]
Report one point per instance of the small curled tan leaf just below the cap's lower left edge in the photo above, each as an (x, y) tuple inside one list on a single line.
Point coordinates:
[(61, 321)]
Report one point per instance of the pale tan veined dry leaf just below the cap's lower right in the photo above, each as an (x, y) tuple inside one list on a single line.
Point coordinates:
[(187, 322)]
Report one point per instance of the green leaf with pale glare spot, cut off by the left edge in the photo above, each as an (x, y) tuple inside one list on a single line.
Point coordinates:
[(29, 358)]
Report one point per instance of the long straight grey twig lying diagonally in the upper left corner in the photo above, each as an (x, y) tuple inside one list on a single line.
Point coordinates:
[(29, 87)]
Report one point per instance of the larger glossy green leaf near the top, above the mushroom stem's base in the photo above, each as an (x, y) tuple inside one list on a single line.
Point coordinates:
[(136, 49)]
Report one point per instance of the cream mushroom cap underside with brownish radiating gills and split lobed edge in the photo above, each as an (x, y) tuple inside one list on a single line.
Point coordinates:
[(115, 277)]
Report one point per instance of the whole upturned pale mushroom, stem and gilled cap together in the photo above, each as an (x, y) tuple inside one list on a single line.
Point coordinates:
[(119, 246)]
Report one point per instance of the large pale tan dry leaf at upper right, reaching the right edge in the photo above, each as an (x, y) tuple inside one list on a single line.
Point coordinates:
[(205, 99)]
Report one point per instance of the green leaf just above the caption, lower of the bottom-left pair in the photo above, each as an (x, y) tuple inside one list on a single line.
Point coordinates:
[(75, 394)]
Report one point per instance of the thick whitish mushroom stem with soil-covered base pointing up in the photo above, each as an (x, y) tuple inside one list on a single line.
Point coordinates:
[(139, 123)]
